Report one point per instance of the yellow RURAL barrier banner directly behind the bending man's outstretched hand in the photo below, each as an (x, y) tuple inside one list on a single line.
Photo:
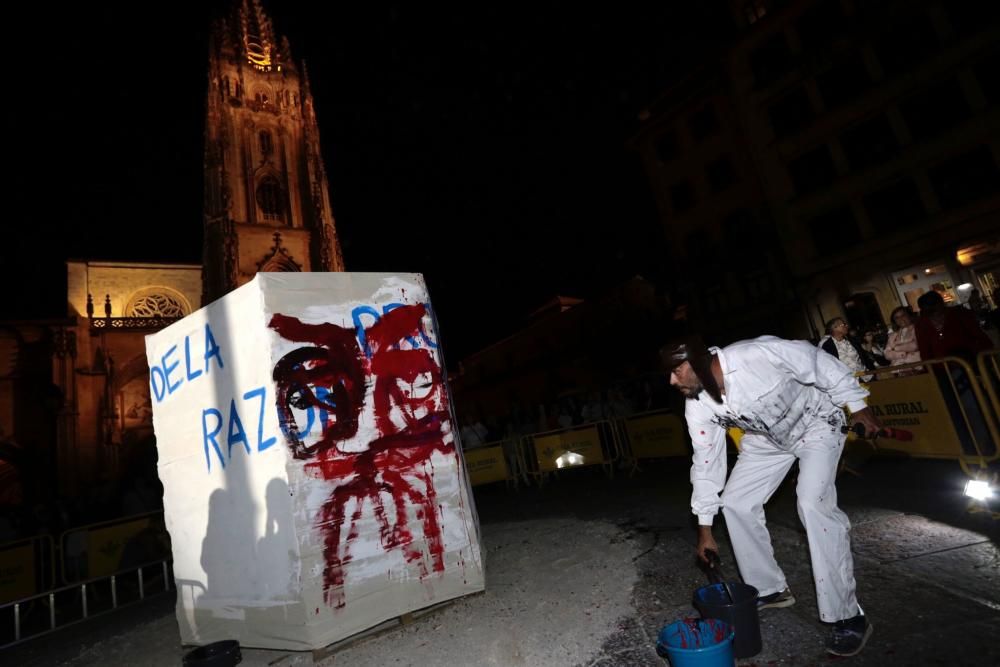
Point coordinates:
[(914, 403)]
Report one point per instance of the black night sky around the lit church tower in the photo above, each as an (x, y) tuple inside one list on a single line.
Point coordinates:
[(481, 146)]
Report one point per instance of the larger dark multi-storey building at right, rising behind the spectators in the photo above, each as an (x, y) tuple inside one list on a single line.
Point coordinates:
[(873, 130)]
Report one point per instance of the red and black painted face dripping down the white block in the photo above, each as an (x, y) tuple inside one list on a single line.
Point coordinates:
[(397, 463)]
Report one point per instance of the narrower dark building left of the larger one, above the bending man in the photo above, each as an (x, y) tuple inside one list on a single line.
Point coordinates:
[(726, 266)]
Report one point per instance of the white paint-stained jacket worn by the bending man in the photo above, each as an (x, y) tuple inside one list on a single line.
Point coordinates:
[(782, 391)]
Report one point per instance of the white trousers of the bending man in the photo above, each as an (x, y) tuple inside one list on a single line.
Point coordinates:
[(758, 472)]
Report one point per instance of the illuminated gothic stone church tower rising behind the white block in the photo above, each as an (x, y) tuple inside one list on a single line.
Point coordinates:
[(267, 205)]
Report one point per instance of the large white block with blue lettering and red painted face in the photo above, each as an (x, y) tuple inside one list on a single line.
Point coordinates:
[(313, 488)]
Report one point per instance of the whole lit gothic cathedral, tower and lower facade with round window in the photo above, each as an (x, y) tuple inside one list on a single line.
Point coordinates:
[(74, 391)]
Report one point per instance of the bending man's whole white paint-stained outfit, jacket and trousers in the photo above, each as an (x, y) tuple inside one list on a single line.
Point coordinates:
[(788, 398)]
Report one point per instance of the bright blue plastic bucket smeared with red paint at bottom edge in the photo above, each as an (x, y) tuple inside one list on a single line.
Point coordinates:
[(697, 642)]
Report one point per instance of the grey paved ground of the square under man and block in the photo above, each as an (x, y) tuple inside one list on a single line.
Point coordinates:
[(587, 570)]
